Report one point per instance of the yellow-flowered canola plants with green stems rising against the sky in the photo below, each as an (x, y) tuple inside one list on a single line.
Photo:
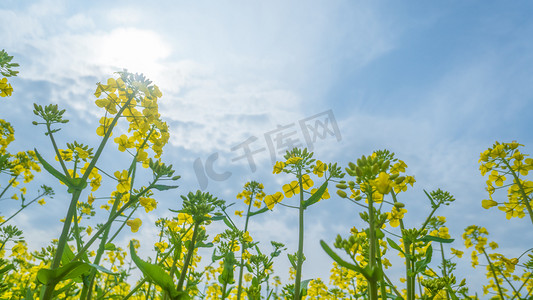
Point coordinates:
[(85, 263)]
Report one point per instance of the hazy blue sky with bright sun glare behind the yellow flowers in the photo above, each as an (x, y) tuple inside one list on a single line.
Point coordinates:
[(435, 82)]
